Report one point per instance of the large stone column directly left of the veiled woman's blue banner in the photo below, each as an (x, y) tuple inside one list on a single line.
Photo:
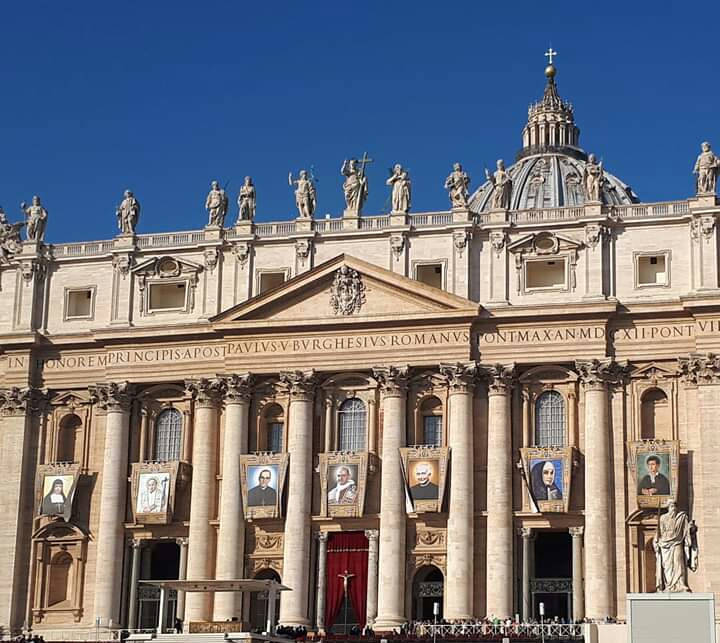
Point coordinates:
[(499, 493)]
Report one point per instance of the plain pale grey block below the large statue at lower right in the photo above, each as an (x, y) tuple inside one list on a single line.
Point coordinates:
[(673, 617)]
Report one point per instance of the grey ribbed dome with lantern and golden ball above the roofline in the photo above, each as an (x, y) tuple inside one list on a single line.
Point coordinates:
[(549, 169)]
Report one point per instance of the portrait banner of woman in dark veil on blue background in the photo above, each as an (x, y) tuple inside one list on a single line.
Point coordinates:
[(547, 473)]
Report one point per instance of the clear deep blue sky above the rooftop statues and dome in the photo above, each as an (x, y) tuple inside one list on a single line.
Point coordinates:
[(163, 97)]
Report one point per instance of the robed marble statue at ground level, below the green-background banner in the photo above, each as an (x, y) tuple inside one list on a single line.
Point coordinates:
[(675, 550)]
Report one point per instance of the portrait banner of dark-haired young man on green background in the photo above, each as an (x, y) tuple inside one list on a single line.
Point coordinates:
[(654, 471)]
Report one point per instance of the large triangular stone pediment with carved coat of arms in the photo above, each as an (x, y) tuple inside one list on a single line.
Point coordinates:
[(346, 289)]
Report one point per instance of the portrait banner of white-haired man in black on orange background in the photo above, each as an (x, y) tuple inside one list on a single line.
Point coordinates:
[(424, 472)]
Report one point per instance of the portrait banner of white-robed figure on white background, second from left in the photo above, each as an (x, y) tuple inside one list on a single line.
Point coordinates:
[(153, 491)]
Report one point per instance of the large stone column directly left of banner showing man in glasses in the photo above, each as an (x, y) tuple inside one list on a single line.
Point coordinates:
[(231, 533)]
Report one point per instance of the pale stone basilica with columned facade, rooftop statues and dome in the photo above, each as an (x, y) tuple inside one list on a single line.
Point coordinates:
[(483, 408)]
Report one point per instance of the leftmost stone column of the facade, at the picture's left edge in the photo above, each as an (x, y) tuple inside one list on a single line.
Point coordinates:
[(17, 503)]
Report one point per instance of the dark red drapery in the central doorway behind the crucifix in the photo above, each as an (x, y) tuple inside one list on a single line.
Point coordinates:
[(347, 553)]
